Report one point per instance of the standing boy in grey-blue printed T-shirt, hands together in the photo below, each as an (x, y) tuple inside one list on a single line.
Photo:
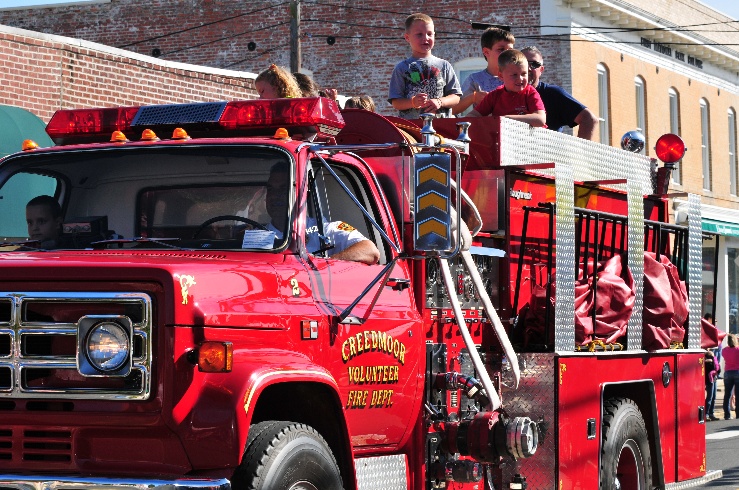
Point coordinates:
[(423, 82)]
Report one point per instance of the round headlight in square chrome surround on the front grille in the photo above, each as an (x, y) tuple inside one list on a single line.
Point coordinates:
[(107, 346)]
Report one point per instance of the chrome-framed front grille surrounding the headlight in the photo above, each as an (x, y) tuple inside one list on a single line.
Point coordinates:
[(38, 346)]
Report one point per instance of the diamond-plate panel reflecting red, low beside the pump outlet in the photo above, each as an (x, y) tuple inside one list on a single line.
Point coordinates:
[(534, 398)]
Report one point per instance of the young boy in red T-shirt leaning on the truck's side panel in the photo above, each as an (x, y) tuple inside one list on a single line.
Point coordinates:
[(515, 99)]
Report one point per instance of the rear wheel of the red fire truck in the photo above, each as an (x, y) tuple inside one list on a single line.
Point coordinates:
[(625, 459)]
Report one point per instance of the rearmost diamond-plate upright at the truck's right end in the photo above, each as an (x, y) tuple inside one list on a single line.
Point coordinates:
[(695, 263)]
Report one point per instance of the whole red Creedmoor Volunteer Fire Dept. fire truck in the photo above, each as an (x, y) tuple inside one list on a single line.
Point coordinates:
[(191, 322)]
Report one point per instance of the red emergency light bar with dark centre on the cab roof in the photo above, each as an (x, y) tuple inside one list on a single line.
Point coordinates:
[(309, 116)]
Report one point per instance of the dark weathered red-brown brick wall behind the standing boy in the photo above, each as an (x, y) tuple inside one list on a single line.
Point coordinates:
[(368, 42)]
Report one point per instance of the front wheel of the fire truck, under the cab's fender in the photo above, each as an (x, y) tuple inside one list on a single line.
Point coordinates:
[(286, 456)]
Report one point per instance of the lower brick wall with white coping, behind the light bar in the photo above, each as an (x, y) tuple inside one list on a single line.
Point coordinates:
[(43, 73)]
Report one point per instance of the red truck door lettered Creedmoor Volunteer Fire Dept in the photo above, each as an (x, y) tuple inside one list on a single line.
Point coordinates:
[(375, 353)]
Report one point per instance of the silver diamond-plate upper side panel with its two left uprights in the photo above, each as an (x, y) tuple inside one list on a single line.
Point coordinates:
[(576, 159)]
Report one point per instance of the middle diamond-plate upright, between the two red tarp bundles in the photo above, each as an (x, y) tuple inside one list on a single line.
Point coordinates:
[(635, 200)]
